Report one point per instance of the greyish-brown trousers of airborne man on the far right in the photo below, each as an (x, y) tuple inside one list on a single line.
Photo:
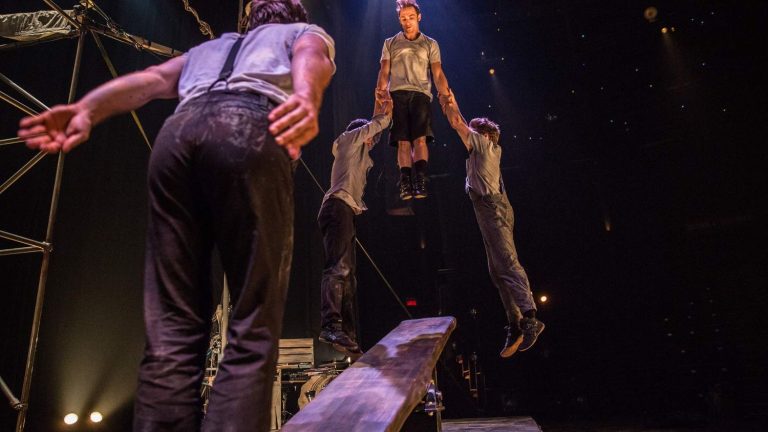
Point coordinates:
[(497, 220)]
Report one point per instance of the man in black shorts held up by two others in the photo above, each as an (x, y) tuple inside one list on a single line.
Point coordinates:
[(407, 59)]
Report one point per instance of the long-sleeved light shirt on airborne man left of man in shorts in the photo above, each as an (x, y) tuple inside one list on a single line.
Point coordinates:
[(352, 162)]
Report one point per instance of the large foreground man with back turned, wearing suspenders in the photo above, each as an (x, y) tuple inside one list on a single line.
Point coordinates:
[(220, 174)]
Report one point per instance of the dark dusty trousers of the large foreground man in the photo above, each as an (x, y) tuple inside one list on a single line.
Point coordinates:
[(216, 177)]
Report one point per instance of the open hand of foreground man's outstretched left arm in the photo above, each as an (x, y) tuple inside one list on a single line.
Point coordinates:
[(62, 128)]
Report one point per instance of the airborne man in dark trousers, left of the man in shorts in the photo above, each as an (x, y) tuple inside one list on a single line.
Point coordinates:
[(342, 202)]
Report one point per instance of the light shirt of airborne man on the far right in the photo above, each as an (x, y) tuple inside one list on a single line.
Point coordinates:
[(484, 166)]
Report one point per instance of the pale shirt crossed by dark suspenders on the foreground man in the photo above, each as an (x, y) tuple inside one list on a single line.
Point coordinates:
[(263, 64)]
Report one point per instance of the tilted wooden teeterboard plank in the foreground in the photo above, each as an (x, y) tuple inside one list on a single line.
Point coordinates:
[(381, 389)]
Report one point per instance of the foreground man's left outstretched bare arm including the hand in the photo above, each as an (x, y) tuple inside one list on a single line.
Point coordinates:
[(65, 126)]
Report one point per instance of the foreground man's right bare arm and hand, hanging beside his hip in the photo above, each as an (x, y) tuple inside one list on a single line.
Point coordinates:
[(294, 123)]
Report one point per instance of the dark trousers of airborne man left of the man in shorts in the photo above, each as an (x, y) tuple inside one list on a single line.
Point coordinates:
[(338, 302)]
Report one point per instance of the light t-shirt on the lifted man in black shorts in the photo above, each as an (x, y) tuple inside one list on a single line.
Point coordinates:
[(410, 62)]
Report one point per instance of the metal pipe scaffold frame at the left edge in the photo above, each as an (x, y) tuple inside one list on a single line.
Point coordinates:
[(82, 24)]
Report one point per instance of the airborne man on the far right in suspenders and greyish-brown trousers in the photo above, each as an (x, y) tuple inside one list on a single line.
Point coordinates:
[(496, 220)]
